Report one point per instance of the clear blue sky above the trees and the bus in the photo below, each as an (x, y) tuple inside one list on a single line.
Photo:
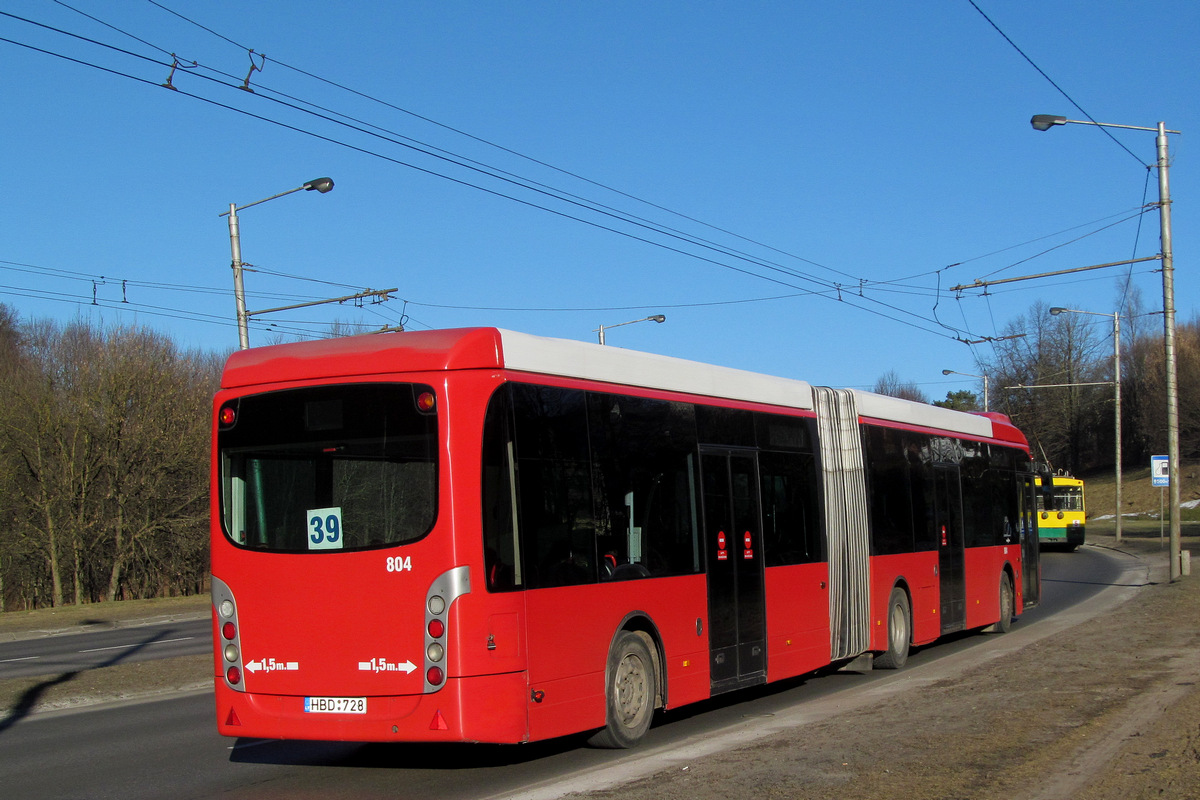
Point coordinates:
[(794, 185)]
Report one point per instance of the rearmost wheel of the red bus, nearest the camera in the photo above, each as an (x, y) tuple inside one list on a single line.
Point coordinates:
[(629, 695)]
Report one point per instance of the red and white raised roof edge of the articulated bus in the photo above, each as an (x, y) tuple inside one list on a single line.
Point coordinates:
[(490, 348)]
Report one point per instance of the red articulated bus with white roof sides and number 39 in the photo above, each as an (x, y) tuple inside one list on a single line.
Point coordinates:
[(478, 536)]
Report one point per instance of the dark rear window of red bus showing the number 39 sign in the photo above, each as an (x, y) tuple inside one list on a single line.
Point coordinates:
[(331, 468)]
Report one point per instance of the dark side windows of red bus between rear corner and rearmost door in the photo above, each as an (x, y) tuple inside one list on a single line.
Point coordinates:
[(604, 491)]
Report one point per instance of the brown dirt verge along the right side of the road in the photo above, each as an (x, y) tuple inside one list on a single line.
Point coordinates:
[(1102, 705)]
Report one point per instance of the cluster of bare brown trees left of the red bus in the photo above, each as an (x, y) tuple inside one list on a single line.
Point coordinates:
[(105, 465)]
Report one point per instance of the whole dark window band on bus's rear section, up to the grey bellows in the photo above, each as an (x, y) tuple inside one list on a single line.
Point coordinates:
[(605, 486)]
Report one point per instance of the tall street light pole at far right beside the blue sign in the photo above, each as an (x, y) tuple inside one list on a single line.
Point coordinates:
[(1045, 123)]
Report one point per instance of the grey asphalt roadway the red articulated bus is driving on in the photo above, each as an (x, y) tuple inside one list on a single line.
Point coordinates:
[(171, 748)]
